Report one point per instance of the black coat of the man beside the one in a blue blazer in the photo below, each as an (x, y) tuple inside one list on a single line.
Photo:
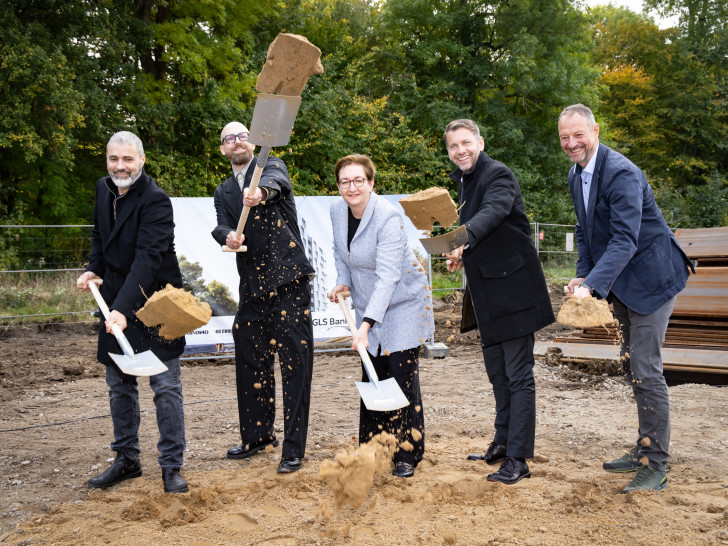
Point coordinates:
[(505, 280)]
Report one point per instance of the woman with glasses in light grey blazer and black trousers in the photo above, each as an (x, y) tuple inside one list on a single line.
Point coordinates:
[(392, 301)]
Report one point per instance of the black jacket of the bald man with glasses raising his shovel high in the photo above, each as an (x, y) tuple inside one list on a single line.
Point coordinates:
[(275, 254)]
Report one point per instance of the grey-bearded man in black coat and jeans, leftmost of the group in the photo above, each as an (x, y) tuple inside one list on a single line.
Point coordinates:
[(133, 252)]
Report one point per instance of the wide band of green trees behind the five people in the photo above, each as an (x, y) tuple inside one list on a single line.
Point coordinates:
[(396, 72)]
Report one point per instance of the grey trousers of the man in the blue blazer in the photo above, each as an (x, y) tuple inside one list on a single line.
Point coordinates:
[(640, 353)]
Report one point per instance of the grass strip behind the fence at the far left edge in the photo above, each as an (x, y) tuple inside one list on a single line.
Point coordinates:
[(23, 294)]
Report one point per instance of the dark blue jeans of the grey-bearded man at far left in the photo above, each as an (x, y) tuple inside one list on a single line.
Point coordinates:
[(126, 415)]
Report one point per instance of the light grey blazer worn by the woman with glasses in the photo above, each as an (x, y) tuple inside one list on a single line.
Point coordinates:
[(387, 282)]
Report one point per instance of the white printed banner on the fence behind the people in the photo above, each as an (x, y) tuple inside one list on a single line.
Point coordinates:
[(214, 274)]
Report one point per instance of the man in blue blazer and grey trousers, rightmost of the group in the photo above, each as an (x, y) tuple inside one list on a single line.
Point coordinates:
[(630, 257)]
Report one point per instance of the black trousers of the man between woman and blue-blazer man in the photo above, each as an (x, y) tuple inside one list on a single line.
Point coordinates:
[(509, 366)]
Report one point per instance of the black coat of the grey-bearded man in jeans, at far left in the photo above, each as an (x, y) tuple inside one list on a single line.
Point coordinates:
[(135, 256)]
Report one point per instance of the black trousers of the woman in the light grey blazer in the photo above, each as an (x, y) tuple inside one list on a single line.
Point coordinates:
[(404, 367)]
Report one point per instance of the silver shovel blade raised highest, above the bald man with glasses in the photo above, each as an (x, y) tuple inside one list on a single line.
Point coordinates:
[(273, 120)]
